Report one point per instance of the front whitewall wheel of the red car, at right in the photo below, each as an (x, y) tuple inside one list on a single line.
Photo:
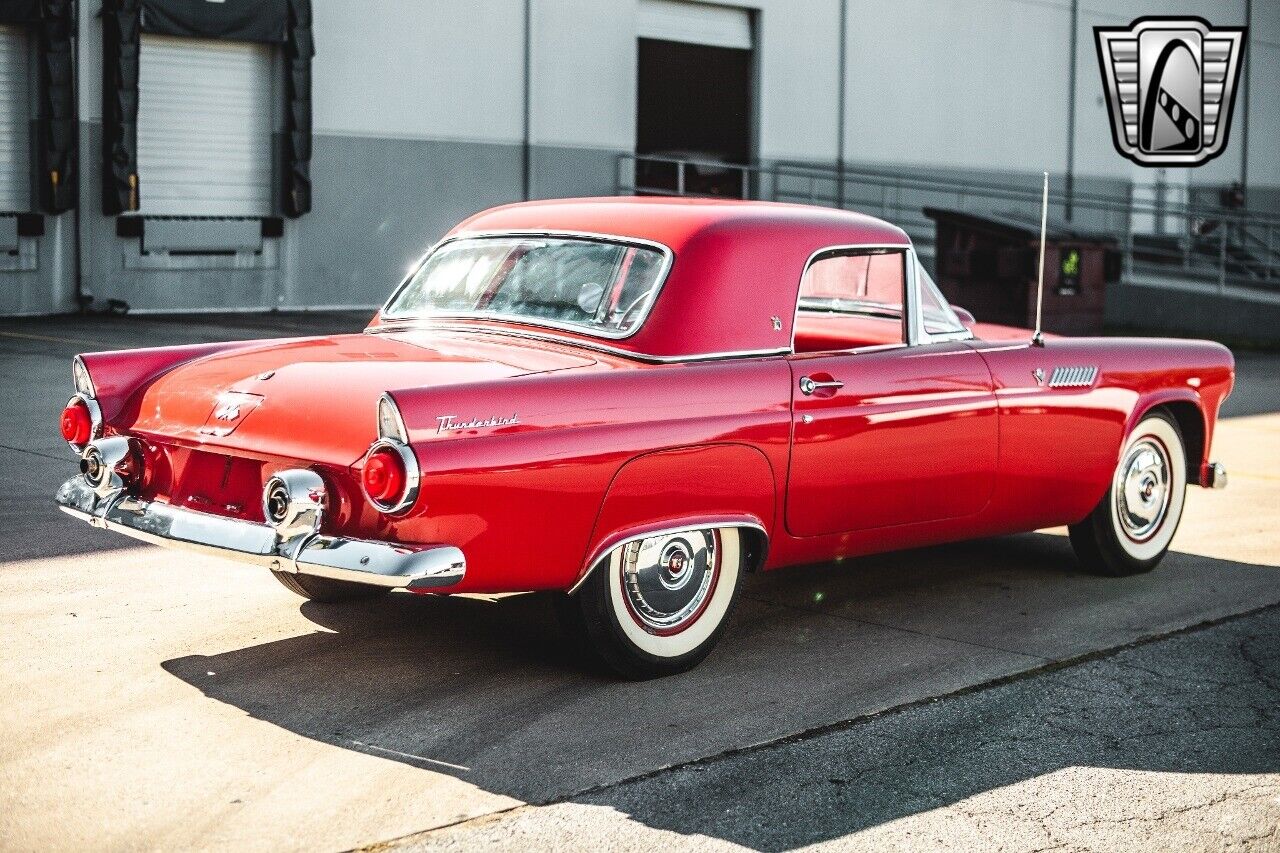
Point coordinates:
[(1131, 528)]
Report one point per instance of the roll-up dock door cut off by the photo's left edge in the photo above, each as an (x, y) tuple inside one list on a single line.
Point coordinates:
[(15, 121)]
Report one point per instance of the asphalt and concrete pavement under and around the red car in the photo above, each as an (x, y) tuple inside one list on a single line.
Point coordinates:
[(985, 695)]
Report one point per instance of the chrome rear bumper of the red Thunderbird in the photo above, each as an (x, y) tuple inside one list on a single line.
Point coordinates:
[(381, 564)]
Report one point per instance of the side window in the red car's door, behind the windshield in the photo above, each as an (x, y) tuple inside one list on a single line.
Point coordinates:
[(853, 300)]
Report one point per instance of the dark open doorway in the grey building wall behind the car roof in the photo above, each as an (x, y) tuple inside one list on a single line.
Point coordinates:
[(694, 103)]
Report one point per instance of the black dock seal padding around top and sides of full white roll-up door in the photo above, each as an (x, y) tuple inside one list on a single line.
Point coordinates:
[(285, 22)]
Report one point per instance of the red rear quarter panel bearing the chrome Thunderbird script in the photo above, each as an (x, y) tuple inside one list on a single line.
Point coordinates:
[(527, 503)]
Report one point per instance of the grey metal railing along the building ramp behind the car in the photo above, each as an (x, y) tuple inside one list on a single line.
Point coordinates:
[(1190, 241)]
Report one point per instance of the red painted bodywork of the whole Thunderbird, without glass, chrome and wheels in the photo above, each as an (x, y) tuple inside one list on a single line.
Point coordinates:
[(541, 450)]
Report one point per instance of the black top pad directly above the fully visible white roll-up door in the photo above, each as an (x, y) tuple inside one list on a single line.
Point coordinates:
[(232, 20)]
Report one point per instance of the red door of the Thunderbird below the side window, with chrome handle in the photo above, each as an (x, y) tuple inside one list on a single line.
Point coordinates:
[(911, 437)]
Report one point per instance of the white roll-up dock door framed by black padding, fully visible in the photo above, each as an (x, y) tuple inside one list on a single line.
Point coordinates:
[(205, 127)]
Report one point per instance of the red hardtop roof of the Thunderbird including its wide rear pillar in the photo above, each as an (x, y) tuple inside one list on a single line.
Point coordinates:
[(733, 288)]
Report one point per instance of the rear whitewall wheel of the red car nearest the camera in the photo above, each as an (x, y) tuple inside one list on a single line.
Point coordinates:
[(659, 606)]
